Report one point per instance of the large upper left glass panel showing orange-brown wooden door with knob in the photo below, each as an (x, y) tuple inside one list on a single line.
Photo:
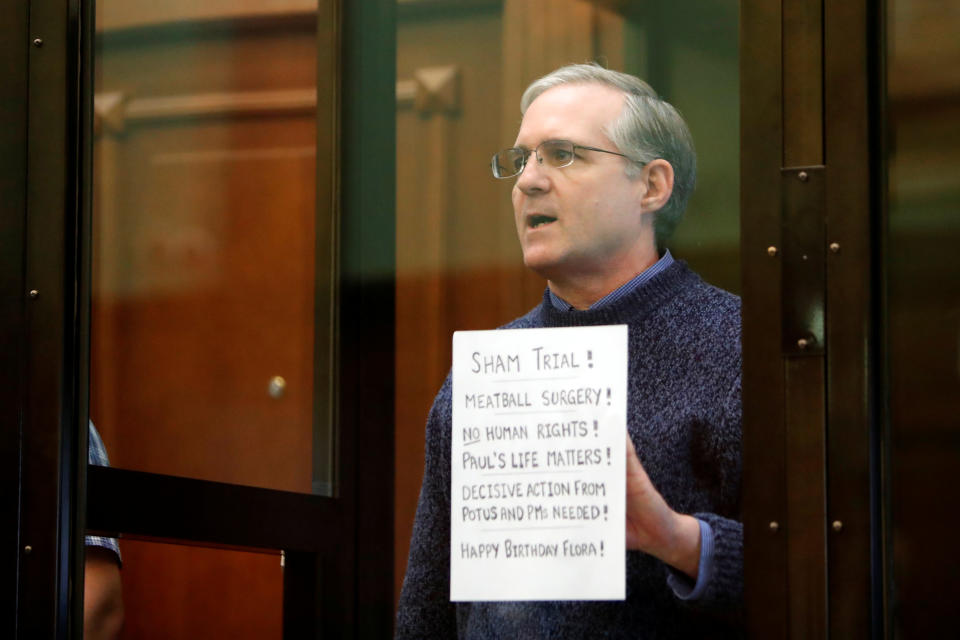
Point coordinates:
[(212, 261)]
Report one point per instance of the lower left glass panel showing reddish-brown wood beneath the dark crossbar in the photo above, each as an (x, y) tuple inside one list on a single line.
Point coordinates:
[(178, 591)]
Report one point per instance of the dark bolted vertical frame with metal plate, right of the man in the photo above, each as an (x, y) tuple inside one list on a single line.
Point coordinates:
[(811, 143)]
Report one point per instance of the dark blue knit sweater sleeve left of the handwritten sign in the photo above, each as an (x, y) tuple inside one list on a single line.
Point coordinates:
[(425, 610)]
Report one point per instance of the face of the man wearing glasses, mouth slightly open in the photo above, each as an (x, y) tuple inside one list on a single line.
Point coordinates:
[(584, 220)]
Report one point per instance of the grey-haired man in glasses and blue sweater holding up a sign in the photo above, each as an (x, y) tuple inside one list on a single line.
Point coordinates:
[(603, 170)]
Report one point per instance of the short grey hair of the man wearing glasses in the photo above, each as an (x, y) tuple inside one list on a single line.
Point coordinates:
[(648, 128)]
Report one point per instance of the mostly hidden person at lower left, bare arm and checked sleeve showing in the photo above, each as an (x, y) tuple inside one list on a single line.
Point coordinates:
[(102, 591)]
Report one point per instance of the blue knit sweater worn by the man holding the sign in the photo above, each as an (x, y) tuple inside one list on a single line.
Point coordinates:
[(684, 417)]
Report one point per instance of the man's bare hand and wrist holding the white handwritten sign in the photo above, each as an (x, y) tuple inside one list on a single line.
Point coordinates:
[(653, 527)]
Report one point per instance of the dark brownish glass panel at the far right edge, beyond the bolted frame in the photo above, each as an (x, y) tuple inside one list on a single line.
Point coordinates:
[(923, 334)]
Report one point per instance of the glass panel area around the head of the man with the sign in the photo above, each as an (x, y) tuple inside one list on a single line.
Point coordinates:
[(461, 68)]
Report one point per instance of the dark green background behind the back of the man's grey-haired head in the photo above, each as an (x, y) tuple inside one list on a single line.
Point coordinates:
[(695, 65)]
